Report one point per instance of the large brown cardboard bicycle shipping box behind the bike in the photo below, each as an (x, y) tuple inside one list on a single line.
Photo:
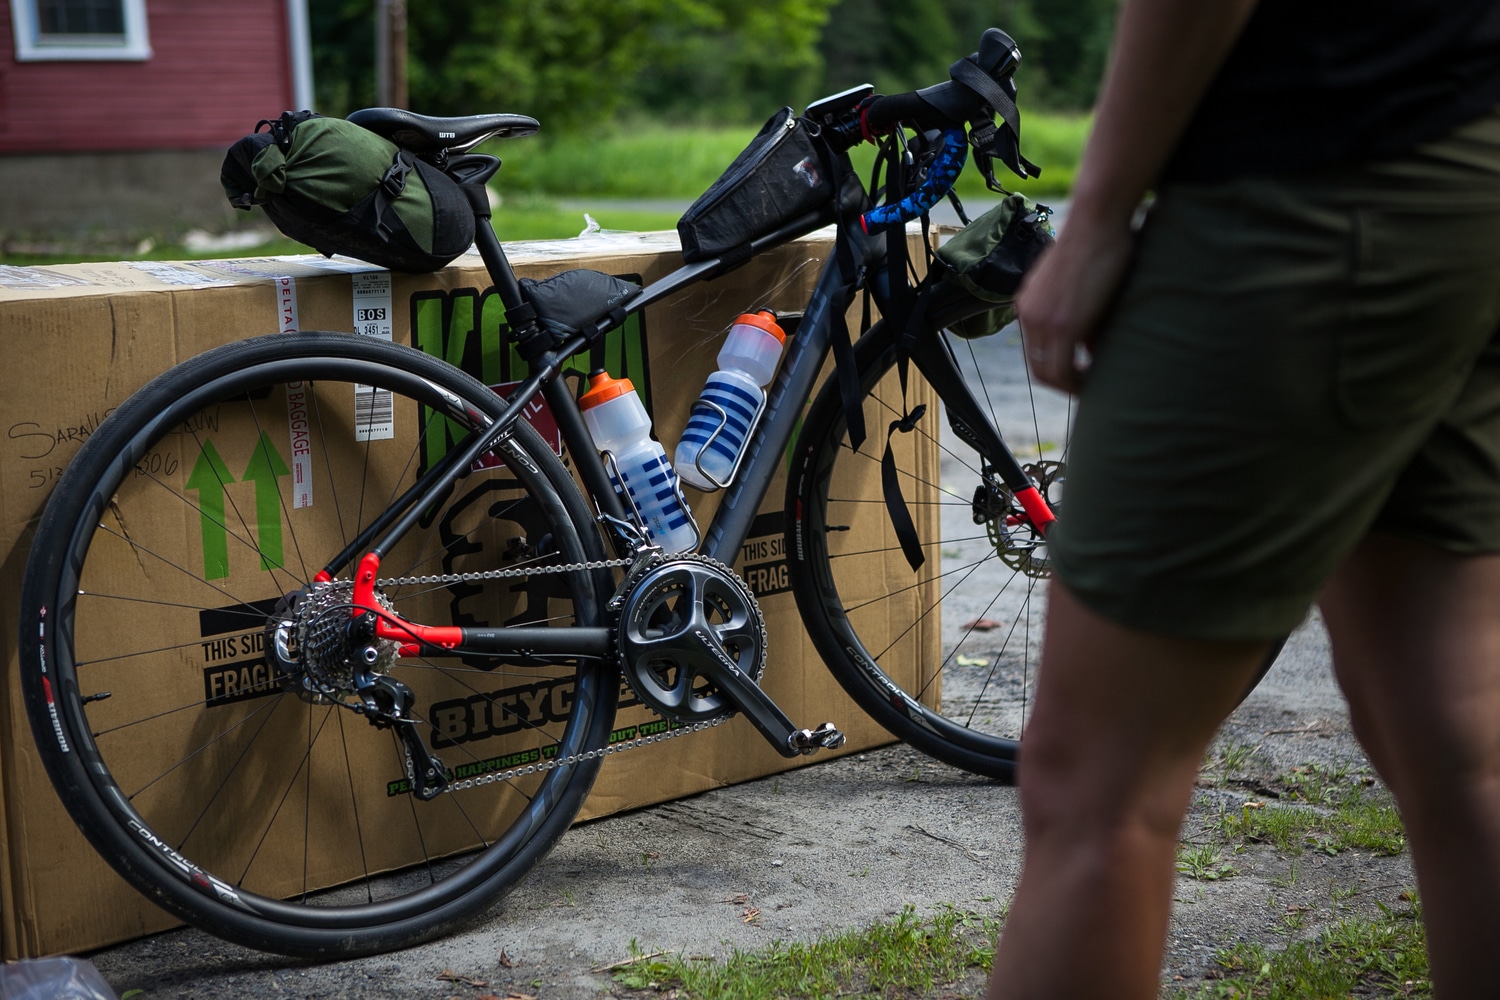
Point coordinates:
[(83, 338)]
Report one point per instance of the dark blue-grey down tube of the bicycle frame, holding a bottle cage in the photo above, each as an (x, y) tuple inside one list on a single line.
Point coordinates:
[(793, 389)]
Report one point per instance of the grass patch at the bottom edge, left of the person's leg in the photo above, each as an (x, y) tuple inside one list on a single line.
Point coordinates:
[(911, 956)]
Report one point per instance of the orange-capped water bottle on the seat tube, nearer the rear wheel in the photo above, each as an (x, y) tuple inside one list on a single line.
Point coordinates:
[(640, 472)]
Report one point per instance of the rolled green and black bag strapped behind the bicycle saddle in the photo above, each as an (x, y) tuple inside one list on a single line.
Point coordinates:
[(343, 190)]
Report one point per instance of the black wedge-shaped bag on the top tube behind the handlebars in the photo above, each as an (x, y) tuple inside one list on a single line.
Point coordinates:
[(778, 179)]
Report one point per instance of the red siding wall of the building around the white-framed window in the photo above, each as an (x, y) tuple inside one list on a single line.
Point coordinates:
[(215, 71)]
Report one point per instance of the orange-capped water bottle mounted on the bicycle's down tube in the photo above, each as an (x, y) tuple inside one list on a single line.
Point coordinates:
[(731, 404)]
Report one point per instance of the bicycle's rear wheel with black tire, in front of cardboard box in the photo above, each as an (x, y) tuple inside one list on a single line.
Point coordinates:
[(266, 815)]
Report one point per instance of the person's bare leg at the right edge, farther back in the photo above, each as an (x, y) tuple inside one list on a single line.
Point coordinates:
[(1417, 648)]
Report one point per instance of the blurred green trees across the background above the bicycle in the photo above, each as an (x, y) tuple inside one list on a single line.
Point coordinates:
[(574, 64)]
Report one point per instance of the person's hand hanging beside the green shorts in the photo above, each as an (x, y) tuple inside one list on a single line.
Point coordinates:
[(1064, 299)]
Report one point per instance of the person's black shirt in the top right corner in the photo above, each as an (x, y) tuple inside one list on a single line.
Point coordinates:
[(1319, 83)]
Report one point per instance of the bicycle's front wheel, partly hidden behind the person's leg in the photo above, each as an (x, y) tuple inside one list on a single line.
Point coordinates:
[(946, 656)]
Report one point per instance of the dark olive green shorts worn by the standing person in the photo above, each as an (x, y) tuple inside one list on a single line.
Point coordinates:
[(1294, 362)]
